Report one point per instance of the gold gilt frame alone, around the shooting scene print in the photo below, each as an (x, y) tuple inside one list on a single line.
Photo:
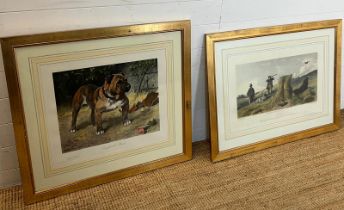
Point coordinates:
[(212, 39)]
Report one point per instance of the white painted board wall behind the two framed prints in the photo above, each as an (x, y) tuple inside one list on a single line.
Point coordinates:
[(18, 17)]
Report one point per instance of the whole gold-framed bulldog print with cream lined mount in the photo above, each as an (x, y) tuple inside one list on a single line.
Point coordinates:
[(92, 106)]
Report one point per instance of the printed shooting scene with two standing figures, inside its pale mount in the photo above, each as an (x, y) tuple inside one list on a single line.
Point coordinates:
[(276, 84)]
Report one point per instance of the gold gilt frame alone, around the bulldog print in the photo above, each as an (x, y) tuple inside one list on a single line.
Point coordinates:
[(16, 101)]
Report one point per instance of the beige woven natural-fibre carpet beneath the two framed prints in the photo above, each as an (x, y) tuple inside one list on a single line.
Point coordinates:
[(305, 174)]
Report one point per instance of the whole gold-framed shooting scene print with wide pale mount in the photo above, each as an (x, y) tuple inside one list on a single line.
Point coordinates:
[(272, 85)]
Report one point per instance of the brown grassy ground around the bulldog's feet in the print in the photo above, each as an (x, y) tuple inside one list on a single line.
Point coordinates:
[(145, 120)]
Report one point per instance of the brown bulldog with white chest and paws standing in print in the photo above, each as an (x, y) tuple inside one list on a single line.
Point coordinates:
[(102, 99)]
